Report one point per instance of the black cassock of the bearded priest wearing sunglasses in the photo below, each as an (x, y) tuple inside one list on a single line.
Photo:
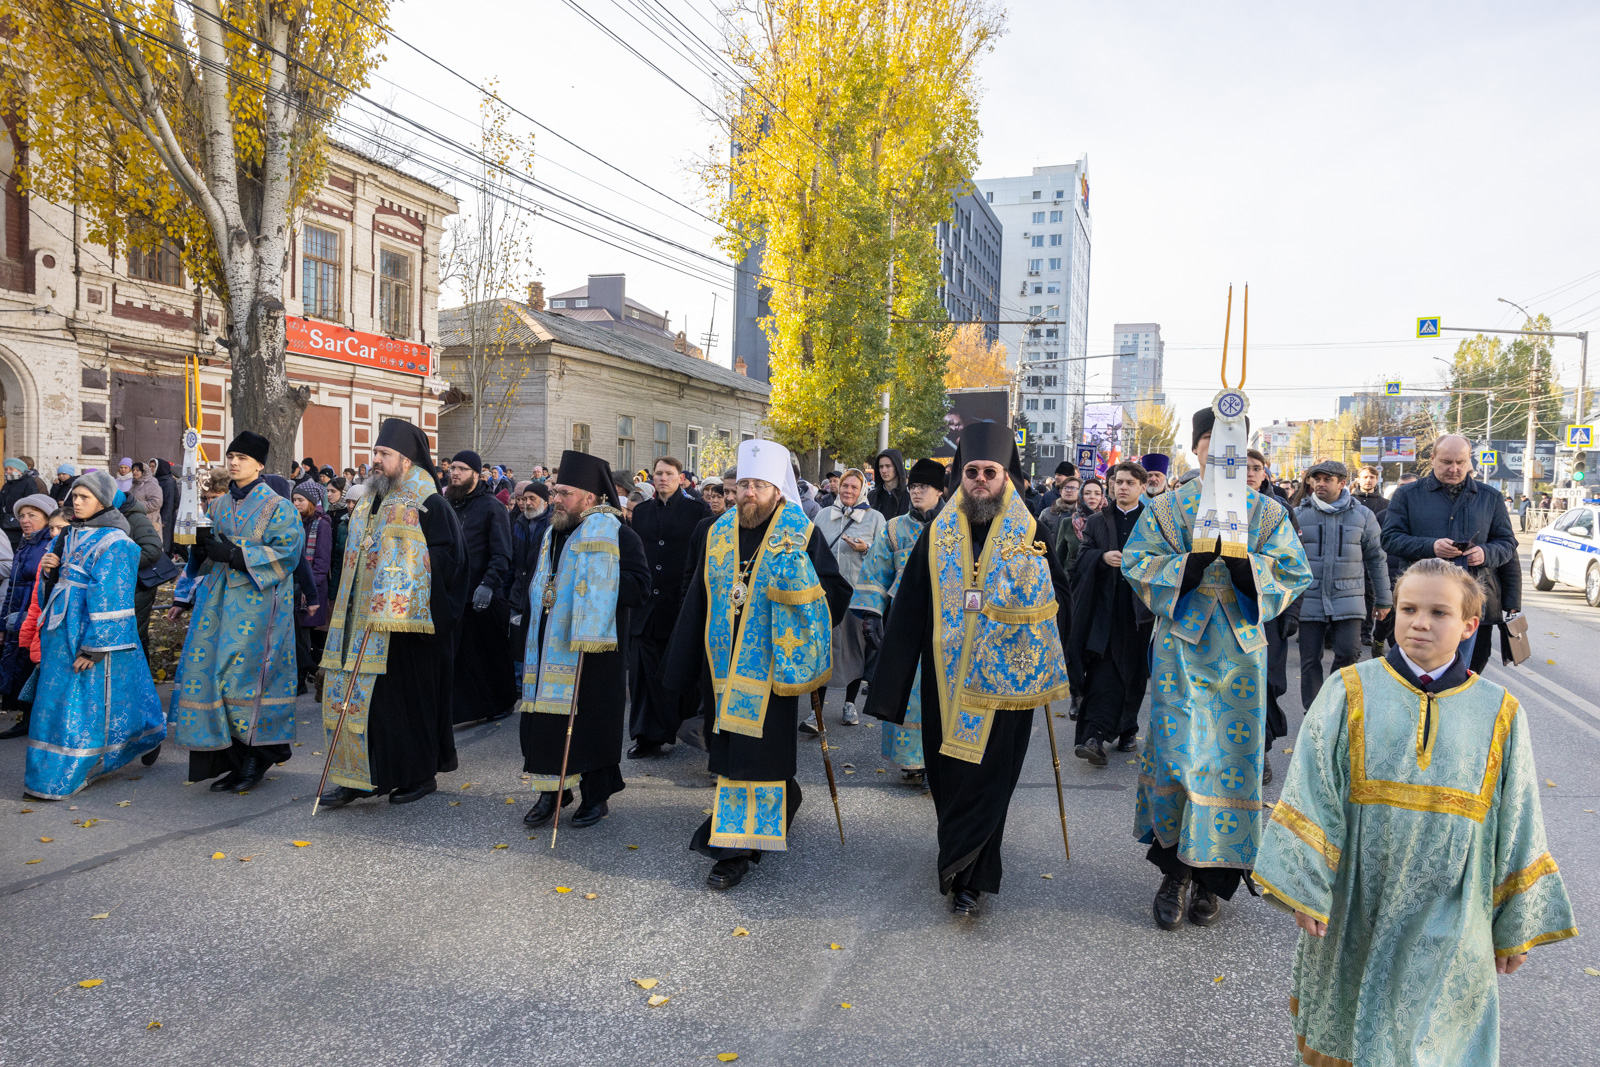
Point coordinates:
[(969, 799)]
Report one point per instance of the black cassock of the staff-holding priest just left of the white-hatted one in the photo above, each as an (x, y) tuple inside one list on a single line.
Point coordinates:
[(602, 690)]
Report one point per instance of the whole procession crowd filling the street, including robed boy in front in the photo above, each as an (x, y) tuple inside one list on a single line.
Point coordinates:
[(950, 602)]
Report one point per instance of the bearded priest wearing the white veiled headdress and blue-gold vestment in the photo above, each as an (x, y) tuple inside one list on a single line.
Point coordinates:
[(754, 634)]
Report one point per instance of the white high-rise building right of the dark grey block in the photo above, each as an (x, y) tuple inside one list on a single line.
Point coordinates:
[(1046, 278)]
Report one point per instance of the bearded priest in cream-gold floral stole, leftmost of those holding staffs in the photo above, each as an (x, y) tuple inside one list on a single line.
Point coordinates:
[(391, 639)]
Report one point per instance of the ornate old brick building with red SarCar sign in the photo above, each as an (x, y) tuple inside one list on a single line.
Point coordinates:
[(94, 342)]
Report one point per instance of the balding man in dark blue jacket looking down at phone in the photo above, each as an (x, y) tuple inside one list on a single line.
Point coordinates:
[(1455, 518)]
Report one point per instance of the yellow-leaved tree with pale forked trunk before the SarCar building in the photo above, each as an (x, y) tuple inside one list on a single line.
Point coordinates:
[(201, 126)]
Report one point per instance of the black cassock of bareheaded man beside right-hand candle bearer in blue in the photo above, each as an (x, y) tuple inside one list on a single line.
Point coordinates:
[(1111, 631)]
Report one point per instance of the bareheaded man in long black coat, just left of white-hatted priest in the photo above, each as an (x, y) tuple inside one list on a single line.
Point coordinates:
[(666, 526)]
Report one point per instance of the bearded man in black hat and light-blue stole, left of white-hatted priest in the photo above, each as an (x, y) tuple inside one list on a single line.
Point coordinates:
[(591, 575)]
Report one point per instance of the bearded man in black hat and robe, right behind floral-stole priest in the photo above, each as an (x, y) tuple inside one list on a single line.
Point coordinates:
[(486, 682)]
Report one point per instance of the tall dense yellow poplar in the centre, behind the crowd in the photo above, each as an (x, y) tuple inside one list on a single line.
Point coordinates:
[(852, 134)]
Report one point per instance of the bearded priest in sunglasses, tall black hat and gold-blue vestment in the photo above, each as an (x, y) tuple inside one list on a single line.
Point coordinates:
[(983, 609)]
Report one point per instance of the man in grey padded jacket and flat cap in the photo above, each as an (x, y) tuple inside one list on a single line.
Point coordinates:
[(1345, 549)]
